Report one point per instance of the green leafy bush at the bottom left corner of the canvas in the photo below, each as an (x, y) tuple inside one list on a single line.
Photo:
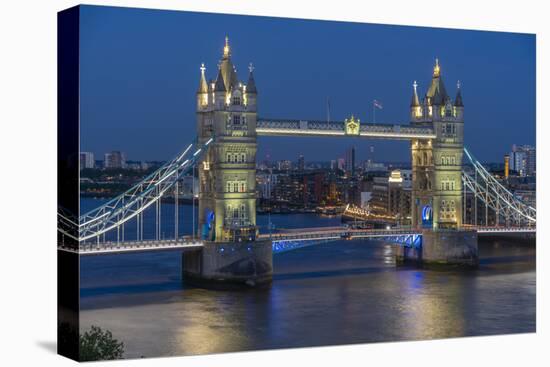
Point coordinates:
[(96, 344)]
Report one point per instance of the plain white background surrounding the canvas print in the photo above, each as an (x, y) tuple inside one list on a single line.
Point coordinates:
[(28, 153)]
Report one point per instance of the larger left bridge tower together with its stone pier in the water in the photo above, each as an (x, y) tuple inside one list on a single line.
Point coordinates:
[(232, 252)]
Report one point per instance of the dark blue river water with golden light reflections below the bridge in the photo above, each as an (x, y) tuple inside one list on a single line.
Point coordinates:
[(339, 292)]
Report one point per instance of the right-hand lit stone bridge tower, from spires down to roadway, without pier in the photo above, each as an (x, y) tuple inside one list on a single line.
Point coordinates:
[(437, 164)]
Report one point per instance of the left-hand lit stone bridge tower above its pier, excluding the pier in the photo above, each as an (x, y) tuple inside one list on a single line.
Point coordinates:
[(226, 110)]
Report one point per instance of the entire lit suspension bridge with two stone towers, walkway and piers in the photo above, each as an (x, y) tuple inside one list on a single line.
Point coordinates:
[(226, 245)]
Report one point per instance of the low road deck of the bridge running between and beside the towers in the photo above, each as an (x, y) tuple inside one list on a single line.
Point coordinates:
[(296, 235)]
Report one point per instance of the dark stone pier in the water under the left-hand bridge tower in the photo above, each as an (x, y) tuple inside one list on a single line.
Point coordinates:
[(229, 264)]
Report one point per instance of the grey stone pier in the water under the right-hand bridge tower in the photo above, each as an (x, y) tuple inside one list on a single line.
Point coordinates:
[(442, 249)]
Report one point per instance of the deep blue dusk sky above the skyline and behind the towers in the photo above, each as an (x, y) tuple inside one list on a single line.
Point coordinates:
[(140, 72)]
